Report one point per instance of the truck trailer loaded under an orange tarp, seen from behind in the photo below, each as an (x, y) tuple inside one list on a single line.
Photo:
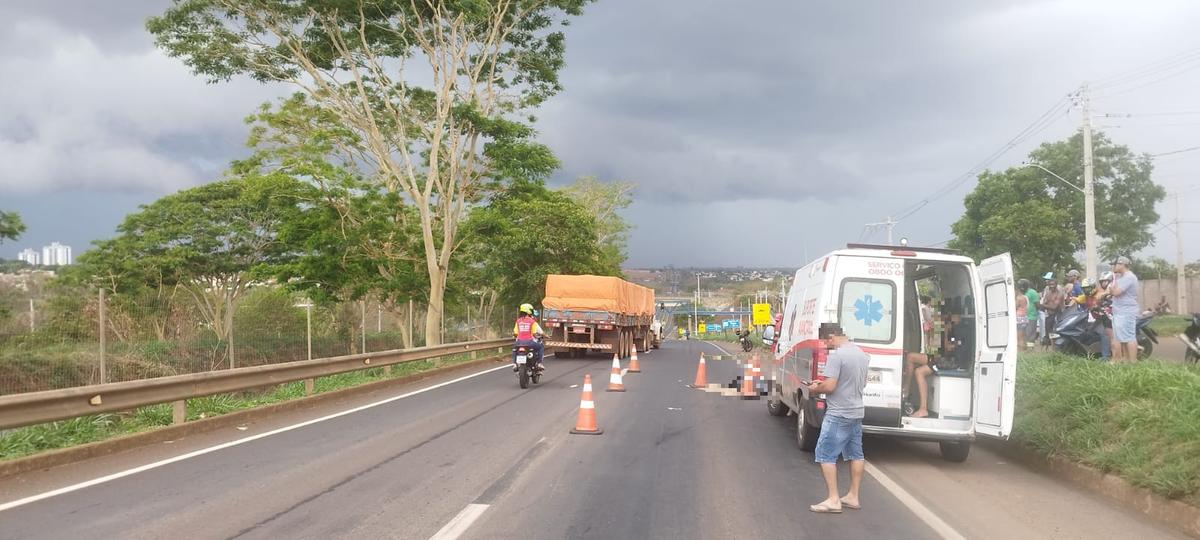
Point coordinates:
[(597, 314)]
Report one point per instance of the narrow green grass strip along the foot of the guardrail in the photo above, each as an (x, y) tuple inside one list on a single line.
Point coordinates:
[(65, 434)]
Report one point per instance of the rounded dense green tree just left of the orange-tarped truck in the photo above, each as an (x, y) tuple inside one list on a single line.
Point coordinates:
[(526, 235)]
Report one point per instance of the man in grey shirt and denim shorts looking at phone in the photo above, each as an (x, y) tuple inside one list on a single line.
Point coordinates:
[(842, 431)]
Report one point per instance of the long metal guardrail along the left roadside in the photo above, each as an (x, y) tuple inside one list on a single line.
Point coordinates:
[(25, 410)]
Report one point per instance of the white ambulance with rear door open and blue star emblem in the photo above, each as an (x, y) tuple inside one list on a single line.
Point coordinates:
[(877, 295)]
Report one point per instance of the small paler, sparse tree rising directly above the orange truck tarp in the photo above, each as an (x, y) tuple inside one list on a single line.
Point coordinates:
[(604, 201)]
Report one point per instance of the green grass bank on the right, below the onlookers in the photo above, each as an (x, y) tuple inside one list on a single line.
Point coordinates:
[(1141, 422)]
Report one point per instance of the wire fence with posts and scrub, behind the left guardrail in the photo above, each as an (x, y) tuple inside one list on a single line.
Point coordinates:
[(55, 338)]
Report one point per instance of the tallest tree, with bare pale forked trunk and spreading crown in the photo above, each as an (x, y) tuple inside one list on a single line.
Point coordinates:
[(485, 62)]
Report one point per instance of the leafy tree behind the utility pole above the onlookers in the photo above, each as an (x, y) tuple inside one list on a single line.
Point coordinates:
[(1041, 221)]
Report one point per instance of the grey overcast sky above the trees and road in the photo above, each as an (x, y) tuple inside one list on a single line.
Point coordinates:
[(758, 136)]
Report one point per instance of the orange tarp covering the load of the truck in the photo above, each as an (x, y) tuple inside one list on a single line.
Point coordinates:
[(598, 293)]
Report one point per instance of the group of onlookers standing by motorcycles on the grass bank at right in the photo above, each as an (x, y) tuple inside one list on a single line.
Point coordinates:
[(1112, 302)]
